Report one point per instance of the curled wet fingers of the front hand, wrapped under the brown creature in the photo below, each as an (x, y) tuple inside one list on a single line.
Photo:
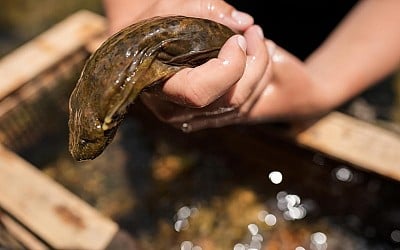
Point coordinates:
[(219, 92)]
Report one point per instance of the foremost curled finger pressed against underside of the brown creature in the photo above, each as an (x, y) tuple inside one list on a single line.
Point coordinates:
[(199, 86)]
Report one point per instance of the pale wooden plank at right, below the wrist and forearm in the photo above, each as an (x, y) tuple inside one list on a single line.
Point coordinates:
[(357, 142)]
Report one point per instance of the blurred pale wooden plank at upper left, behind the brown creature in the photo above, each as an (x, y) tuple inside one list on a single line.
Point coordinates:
[(47, 49)]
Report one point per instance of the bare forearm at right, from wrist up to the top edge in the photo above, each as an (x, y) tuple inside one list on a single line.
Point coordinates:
[(364, 48)]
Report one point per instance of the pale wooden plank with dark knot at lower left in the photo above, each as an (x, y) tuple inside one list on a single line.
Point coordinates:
[(49, 210)]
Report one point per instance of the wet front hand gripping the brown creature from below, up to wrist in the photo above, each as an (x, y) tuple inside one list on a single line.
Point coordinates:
[(272, 85)]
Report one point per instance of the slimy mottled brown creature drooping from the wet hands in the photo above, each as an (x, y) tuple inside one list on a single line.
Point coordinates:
[(141, 55)]
